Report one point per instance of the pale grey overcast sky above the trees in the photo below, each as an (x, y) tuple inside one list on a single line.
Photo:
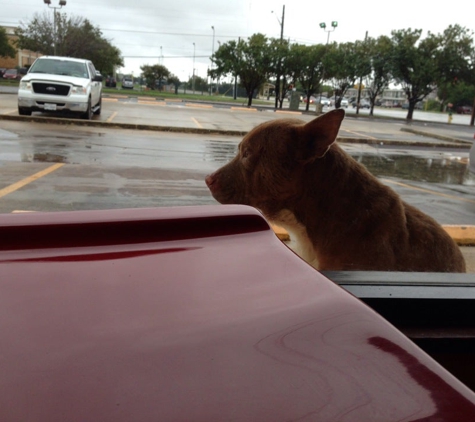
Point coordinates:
[(154, 31)]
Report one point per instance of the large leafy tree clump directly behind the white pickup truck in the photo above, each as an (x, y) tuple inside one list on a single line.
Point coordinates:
[(73, 37)]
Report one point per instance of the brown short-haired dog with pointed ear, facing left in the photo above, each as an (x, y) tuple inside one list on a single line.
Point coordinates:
[(341, 216)]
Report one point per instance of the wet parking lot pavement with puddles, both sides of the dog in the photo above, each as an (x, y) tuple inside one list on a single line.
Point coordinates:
[(101, 168)]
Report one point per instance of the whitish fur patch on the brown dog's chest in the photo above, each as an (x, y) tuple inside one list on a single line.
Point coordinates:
[(299, 241)]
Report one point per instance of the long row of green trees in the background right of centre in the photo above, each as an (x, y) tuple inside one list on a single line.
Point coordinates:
[(419, 65)]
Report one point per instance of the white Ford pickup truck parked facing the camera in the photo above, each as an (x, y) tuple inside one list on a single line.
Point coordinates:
[(63, 84)]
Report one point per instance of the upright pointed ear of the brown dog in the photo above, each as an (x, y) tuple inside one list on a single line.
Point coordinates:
[(320, 133)]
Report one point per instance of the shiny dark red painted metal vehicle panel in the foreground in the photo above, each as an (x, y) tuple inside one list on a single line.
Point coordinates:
[(194, 314)]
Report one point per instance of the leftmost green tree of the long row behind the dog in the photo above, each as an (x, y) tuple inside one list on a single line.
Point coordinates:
[(250, 61)]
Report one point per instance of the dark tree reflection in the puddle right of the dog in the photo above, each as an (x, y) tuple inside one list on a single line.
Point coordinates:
[(452, 171)]
